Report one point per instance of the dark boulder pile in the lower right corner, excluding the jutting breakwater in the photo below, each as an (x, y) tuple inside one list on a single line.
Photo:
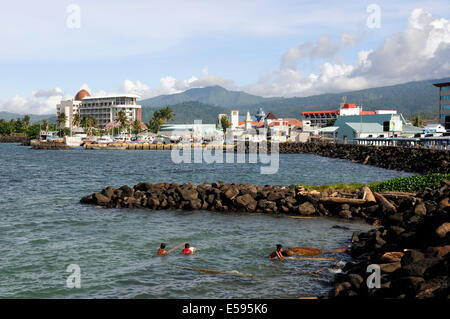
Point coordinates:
[(411, 249)]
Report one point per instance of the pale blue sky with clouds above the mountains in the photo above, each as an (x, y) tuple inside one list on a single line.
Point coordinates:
[(51, 49)]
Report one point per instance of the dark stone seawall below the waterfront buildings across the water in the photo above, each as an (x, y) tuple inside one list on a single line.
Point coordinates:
[(424, 161)]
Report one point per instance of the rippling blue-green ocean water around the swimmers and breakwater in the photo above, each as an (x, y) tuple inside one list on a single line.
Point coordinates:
[(44, 228)]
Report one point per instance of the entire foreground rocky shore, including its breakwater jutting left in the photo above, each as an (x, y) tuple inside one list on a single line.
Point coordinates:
[(412, 247)]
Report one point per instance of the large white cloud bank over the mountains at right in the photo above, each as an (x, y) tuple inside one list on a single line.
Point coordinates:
[(420, 52)]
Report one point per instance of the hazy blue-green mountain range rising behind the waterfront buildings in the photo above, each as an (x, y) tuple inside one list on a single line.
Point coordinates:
[(410, 99)]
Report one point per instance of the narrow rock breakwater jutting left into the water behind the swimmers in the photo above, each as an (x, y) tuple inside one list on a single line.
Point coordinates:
[(251, 198)]
